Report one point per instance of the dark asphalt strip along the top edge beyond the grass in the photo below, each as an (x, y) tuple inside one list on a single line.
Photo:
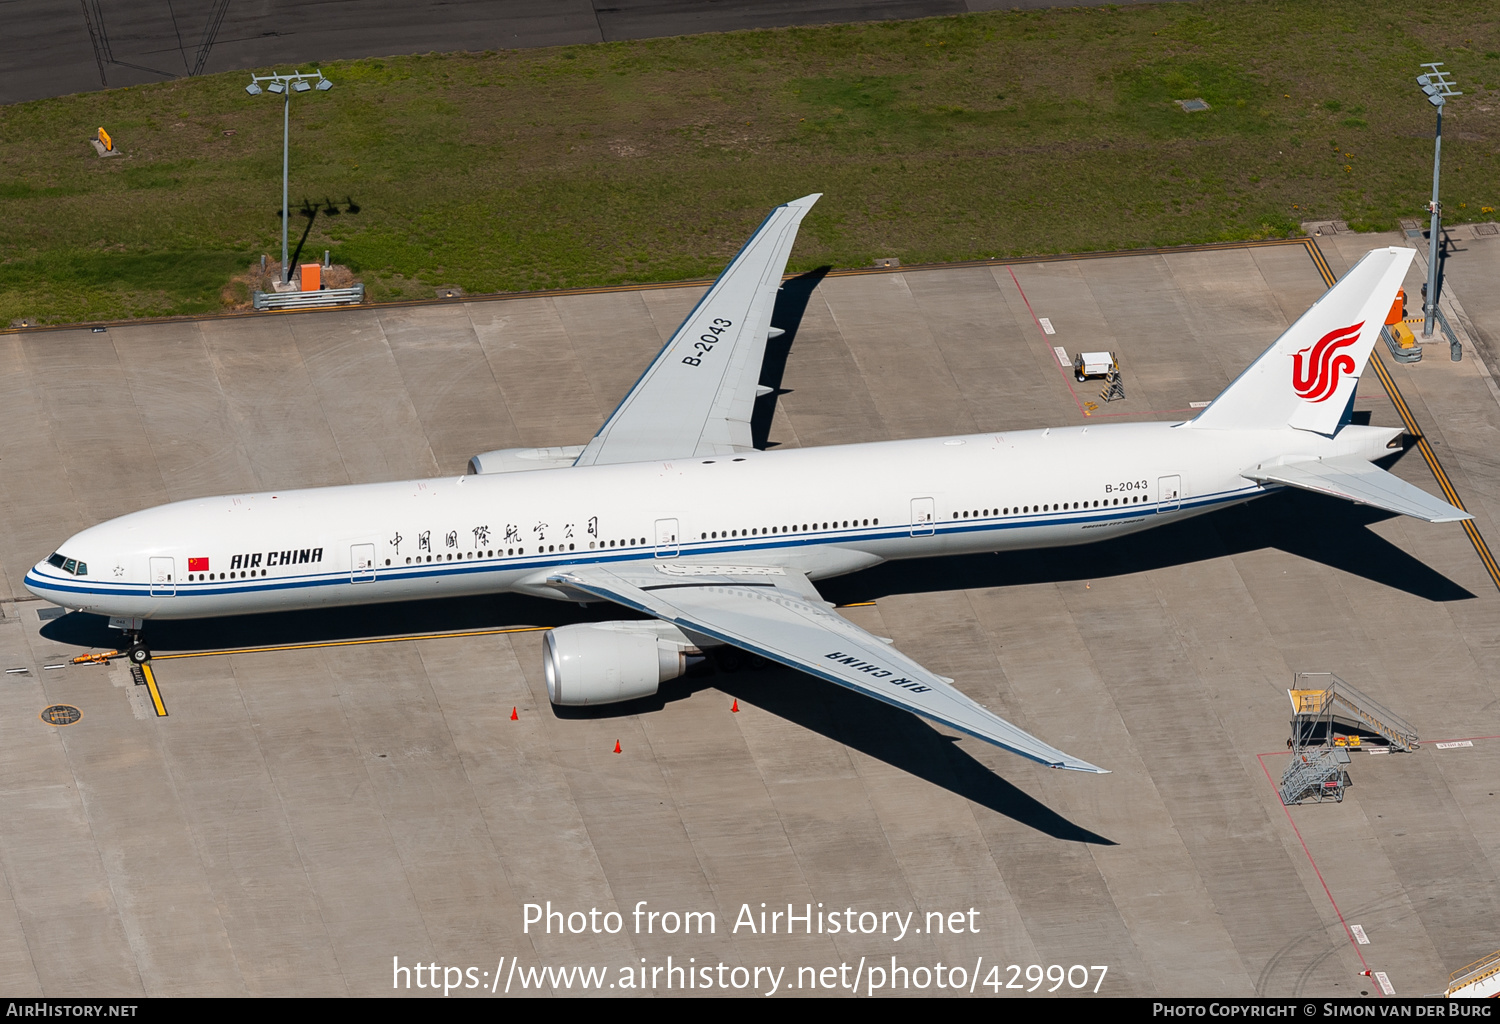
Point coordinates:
[(59, 49)]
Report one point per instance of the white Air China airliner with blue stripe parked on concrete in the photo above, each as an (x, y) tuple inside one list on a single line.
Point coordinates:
[(673, 512)]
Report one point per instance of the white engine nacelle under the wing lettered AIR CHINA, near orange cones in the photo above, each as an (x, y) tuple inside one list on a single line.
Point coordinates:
[(605, 662)]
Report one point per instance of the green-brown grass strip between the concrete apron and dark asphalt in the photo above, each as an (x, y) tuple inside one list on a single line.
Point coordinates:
[(947, 139)]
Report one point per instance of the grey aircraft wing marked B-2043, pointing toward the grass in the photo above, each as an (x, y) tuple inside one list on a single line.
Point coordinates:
[(698, 395)]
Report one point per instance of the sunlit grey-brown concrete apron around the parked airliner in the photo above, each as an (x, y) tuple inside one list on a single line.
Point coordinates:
[(304, 816)]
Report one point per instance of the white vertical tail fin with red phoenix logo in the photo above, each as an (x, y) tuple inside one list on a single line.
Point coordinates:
[(1309, 377)]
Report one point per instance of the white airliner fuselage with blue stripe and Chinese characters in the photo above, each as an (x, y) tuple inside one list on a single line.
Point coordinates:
[(823, 511)]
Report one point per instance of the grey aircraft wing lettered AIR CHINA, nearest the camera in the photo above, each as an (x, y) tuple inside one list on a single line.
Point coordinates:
[(776, 614)]
